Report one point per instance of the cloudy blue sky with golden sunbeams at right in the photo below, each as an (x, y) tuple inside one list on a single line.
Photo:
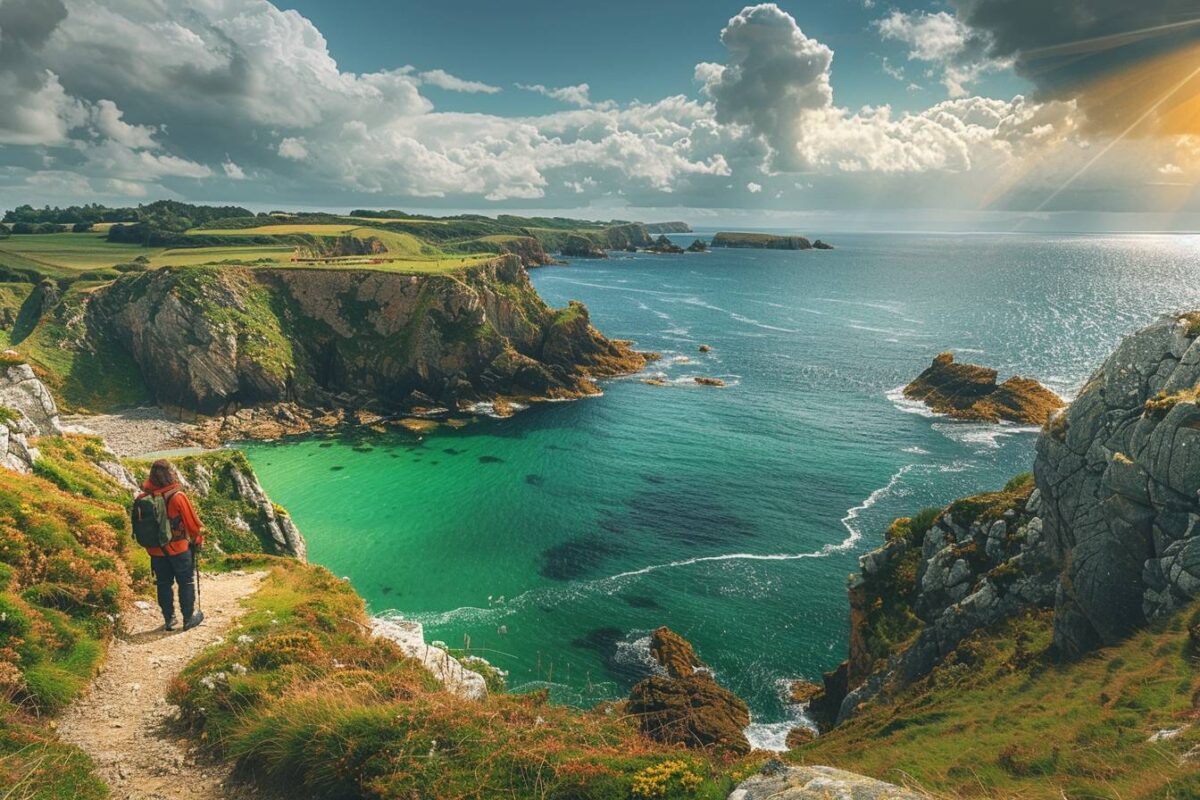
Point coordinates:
[(992, 115)]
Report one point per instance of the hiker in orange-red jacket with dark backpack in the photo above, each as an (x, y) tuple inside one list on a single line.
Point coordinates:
[(166, 525)]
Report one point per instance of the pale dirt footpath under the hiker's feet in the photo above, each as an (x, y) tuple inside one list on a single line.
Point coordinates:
[(124, 720)]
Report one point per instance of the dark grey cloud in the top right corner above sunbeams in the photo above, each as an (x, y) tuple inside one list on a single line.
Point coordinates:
[(1064, 45)]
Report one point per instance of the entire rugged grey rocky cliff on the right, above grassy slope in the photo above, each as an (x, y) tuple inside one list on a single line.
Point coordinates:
[(1107, 532)]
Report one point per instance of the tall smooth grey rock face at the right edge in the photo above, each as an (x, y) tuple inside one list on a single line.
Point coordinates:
[(1120, 473)]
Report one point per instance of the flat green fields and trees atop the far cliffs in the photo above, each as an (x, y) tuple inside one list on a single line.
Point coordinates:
[(165, 234)]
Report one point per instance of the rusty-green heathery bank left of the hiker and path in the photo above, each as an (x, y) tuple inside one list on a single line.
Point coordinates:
[(67, 568)]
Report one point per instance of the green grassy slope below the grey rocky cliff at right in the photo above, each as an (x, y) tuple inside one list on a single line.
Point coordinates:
[(1001, 719)]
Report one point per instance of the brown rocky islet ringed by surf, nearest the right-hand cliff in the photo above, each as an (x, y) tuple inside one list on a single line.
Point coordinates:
[(967, 392)]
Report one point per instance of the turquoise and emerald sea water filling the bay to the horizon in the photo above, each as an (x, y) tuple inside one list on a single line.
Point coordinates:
[(557, 539)]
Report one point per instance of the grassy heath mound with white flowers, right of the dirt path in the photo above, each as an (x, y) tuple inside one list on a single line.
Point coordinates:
[(304, 700)]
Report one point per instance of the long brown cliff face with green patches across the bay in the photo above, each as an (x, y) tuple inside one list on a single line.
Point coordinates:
[(217, 339)]
